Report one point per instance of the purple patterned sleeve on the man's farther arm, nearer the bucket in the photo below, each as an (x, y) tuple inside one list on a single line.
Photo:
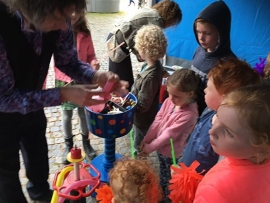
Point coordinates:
[(66, 59)]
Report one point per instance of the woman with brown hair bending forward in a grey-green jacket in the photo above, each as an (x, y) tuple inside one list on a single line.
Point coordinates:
[(164, 14)]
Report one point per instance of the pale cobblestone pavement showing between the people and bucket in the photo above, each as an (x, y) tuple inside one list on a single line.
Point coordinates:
[(100, 25)]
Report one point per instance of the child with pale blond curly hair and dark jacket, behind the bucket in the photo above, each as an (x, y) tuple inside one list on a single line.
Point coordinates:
[(151, 44)]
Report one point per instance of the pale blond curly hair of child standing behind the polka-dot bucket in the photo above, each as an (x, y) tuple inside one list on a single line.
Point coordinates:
[(151, 40)]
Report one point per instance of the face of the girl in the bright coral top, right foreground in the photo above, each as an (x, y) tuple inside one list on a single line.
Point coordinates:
[(229, 137)]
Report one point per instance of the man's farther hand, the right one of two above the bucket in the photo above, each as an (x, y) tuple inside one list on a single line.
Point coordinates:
[(119, 87)]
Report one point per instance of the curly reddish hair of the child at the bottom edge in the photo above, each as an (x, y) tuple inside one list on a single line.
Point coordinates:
[(134, 181)]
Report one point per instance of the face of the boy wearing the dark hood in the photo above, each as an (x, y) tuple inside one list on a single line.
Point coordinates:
[(207, 36)]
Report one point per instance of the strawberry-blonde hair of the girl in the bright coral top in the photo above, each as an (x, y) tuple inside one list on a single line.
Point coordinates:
[(252, 104)]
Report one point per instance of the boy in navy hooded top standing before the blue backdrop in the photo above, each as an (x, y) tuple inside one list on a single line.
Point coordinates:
[(212, 31)]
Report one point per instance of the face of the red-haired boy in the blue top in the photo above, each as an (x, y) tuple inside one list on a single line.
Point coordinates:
[(212, 97)]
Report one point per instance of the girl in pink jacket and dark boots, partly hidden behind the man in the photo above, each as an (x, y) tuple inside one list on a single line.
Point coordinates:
[(86, 53)]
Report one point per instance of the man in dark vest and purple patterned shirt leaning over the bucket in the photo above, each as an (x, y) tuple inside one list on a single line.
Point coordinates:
[(30, 32)]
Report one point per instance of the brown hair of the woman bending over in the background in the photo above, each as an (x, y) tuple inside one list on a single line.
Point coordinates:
[(169, 11)]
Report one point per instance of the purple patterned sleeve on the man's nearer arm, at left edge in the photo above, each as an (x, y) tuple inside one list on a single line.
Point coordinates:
[(16, 100)]
